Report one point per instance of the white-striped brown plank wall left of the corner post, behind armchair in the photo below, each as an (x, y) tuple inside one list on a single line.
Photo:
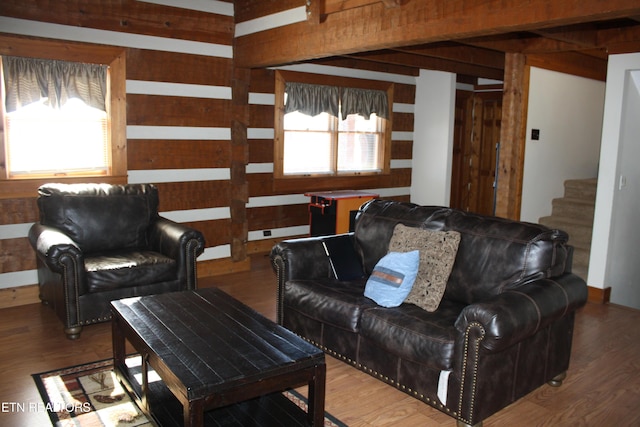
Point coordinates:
[(179, 67)]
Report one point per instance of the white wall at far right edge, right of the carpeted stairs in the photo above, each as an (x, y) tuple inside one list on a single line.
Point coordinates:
[(613, 258)]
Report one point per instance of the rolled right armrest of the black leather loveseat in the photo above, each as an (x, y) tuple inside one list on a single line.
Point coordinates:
[(518, 313)]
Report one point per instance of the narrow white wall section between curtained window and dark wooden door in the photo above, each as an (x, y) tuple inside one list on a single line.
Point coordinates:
[(433, 138)]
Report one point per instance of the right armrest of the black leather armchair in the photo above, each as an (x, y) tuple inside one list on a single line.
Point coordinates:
[(179, 242)]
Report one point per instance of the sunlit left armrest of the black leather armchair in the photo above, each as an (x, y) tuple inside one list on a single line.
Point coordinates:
[(54, 248)]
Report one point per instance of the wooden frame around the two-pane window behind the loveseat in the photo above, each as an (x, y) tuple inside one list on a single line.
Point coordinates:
[(281, 77)]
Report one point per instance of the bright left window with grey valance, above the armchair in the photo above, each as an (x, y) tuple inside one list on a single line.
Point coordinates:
[(56, 118)]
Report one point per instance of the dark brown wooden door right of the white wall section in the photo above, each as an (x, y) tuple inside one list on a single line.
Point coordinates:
[(476, 135)]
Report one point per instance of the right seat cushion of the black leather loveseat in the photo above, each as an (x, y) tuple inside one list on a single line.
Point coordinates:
[(411, 333)]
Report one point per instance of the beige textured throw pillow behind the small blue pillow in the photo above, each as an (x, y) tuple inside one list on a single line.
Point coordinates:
[(438, 251)]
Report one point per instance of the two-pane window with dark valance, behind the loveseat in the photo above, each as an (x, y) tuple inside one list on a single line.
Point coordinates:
[(317, 137)]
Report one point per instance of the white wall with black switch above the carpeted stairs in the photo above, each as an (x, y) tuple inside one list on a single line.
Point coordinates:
[(568, 112)]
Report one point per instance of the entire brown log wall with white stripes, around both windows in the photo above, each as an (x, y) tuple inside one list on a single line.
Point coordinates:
[(180, 114)]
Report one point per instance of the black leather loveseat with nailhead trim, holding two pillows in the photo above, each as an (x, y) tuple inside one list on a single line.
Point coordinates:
[(503, 327)]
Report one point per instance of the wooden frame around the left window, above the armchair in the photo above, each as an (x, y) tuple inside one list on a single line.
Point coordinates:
[(115, 58)]
